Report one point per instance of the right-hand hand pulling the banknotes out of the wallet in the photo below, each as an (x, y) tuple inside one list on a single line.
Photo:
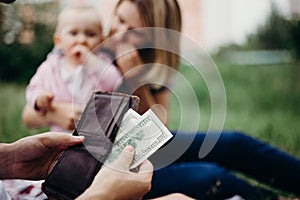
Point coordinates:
[(115, 181)]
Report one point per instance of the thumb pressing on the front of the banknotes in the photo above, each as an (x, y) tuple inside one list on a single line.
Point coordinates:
[(125, 159)]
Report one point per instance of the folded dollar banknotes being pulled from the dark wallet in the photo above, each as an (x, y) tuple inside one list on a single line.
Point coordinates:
[(146, 133)]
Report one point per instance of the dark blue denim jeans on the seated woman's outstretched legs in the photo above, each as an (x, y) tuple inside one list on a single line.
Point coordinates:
[(209, 177)]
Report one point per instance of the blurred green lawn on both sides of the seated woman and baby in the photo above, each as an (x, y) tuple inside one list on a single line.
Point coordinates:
[(260, 100)]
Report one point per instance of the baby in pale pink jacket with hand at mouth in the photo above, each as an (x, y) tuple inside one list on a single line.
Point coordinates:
[(76, 67)]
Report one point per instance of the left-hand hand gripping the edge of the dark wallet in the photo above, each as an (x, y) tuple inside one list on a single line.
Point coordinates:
[(33, 156)]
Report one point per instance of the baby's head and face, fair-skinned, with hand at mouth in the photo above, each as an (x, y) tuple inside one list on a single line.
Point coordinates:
[(80, 33)]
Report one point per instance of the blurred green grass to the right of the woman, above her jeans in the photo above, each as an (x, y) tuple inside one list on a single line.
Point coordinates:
[(262, 101)]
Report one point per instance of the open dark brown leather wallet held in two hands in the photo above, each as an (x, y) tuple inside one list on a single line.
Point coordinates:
[(76, 168)]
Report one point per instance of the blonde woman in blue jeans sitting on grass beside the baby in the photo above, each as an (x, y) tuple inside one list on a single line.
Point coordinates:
[(197, 178)]
